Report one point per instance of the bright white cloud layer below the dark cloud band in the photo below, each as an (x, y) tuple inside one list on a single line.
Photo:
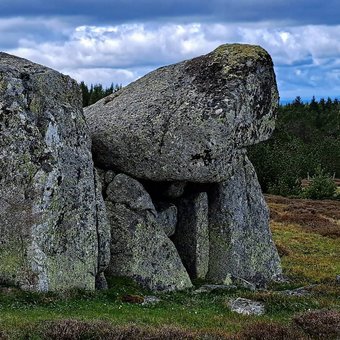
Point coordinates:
[(307, 58)]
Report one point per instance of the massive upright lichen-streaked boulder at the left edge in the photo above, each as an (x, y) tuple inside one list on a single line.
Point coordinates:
[(52, 220)]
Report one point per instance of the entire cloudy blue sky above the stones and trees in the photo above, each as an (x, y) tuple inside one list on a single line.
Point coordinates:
[(103, 41)]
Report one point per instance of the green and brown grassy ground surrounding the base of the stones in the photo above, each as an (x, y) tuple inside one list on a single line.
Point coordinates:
[(310, 255)]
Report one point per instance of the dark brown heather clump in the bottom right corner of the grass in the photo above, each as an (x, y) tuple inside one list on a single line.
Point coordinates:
[(323, 324)]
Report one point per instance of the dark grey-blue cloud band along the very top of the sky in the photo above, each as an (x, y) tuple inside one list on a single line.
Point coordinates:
[(106, 11)]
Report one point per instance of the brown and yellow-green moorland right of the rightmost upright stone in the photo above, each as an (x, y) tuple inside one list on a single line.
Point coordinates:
[(307, 235)]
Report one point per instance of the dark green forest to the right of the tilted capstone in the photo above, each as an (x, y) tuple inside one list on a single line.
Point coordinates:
[(305, 143)]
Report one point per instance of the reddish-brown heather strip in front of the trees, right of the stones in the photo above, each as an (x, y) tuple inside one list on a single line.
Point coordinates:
[(321, 217)]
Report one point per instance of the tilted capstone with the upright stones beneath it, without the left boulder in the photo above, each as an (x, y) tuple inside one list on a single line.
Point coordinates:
[(182, 130)]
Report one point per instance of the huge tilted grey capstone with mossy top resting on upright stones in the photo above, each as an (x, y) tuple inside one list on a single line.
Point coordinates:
[(189, 121)]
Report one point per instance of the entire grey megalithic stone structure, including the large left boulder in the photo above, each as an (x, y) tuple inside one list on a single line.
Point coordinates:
[(178, 194)]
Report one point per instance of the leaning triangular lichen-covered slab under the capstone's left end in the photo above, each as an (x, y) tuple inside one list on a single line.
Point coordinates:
[(139, 246)]
